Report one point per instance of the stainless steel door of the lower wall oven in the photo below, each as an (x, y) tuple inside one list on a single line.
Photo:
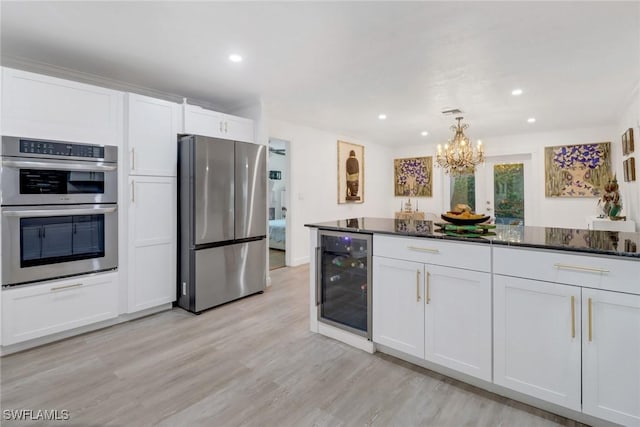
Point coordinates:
[(13, 273)]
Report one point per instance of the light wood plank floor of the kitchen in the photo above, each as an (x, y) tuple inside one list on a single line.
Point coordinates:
[(252, 362)]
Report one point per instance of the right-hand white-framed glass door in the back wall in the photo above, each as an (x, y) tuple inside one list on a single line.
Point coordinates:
[(504, 187)]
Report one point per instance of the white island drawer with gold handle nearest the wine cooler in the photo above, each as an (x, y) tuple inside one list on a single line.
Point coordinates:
[(434, 251)]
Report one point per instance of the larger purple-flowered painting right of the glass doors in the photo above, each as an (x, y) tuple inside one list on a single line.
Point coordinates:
[(579, 170)]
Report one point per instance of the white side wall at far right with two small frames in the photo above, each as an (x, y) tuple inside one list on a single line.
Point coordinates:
[(629, 191)]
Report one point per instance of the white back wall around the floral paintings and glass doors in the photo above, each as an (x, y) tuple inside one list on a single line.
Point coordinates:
[(548, 211)]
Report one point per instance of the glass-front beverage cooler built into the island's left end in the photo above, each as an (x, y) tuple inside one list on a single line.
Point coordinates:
[(343, 282)]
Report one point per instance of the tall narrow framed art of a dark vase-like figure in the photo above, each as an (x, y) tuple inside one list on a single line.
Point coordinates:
[(350, 172)]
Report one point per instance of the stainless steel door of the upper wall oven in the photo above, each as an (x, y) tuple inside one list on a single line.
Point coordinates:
[(10, 172)]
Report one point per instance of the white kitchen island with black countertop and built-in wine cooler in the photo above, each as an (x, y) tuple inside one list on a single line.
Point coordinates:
[(548, 316)]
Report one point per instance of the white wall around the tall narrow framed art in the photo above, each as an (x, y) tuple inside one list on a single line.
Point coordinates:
[(313, 185)]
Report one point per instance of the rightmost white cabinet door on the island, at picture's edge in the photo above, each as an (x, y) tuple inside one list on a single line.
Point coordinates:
[(611, 356)]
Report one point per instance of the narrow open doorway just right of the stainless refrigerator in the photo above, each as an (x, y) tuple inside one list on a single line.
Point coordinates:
[(278, 164)]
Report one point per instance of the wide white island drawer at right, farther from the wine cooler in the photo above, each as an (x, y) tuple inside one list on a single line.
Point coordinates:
[(620, 275)]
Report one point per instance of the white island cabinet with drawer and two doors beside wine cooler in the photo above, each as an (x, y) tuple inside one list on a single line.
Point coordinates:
[(438, 309)]
